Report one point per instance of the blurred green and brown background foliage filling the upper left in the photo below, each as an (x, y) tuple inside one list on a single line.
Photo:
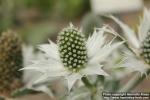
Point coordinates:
[(35, 20)]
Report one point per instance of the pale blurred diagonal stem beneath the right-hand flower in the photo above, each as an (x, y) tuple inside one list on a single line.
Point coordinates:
[(134, 82)]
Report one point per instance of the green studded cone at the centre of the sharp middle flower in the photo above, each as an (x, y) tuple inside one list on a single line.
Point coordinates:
[(72, 49)]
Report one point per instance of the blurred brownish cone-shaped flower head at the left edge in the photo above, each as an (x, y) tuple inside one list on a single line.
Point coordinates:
[(10, 62)]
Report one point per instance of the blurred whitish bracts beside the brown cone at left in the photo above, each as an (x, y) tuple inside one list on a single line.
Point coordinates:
[(29, 76)]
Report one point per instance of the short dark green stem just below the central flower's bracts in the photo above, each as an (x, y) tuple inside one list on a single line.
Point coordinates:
[(90, 86)]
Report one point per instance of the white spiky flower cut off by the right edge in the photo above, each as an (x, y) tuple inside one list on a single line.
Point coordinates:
[(139, 43)]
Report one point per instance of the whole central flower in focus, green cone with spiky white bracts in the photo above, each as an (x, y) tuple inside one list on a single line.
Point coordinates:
[(73, 57)]
